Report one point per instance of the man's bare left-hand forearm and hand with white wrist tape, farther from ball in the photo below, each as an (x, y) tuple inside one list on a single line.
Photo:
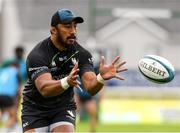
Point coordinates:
[(49, 87)]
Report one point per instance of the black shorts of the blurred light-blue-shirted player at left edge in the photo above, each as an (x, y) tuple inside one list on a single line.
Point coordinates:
[(6, 101)]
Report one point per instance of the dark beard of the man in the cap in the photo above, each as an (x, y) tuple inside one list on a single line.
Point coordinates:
[(63, 42)]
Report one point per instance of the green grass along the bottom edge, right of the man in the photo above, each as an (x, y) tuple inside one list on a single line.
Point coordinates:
[(83, 127)]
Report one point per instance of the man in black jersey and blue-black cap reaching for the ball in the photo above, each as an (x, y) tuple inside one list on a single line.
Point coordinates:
[(53, 67)]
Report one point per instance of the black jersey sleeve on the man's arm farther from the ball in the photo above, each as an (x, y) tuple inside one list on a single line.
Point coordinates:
[(36, 65)]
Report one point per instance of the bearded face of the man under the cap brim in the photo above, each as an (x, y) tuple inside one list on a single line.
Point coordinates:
[(67, 34)]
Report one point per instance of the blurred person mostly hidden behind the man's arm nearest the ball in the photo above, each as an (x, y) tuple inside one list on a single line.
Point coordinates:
[(87, 103)]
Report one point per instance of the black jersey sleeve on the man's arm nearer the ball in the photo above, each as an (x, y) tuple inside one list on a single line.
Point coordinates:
[(85, 62)]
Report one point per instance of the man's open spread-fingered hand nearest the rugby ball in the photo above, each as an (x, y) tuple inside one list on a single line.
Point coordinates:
[(111, 71)]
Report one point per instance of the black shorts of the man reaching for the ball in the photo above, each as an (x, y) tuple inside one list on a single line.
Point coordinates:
[(46, 120)]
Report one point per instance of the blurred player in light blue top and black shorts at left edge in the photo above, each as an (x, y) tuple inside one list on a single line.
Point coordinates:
[(9, 87)]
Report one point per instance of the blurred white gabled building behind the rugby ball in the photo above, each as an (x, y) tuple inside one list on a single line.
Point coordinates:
[(134, 37)]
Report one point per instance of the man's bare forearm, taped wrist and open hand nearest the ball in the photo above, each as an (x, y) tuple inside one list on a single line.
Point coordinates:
[(94, 83)]
